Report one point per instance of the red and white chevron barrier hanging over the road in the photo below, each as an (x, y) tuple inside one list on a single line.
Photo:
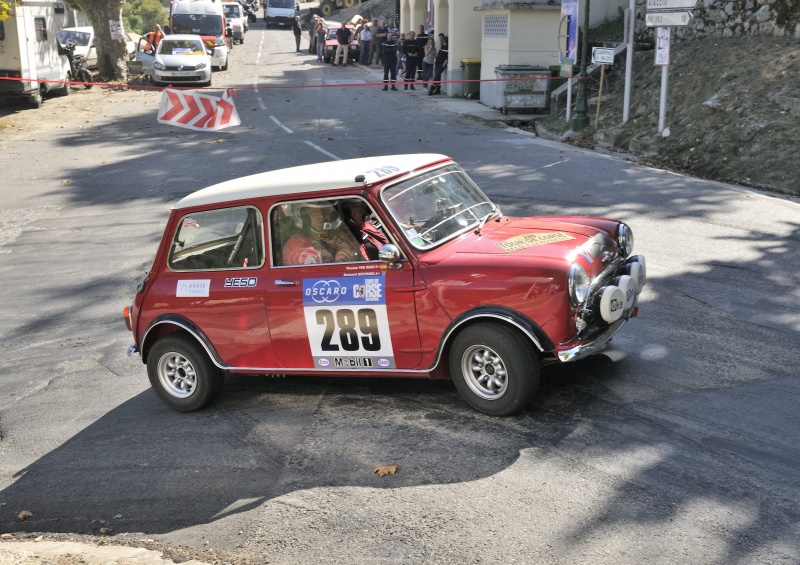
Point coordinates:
[(200, 112)]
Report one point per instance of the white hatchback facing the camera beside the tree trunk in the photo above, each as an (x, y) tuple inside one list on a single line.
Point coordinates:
[(178, 59)]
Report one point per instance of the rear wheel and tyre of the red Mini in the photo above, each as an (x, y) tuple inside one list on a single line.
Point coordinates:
[(182, 374)]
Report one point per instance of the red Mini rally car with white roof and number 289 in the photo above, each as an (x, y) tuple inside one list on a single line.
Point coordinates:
[(276, 274)]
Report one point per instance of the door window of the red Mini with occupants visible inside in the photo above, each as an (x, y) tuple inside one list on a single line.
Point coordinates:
[(312, 232)]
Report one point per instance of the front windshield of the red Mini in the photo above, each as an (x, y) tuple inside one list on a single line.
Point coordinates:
[(437, 205)]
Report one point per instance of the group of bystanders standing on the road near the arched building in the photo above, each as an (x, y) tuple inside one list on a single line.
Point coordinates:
[(414, 57)]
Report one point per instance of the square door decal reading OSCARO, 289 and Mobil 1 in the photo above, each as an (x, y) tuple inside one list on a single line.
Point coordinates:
[(347, 324)]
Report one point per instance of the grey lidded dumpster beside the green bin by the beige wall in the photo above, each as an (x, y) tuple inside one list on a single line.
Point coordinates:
[(526, 88)]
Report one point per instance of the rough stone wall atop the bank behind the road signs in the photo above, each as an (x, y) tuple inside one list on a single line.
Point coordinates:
[(734, 18)]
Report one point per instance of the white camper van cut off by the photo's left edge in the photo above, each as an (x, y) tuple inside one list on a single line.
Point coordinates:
[(29, 51)]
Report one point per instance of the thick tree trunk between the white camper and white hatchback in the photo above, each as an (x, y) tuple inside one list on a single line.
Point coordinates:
[(111, 53)]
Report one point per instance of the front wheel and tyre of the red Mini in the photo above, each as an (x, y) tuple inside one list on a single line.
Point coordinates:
[(495, 368)]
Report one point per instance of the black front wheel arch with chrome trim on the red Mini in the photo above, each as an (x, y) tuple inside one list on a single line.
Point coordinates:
[(491, 314)]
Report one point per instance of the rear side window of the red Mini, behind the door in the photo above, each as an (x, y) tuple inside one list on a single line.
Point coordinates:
[(230, 238)]
